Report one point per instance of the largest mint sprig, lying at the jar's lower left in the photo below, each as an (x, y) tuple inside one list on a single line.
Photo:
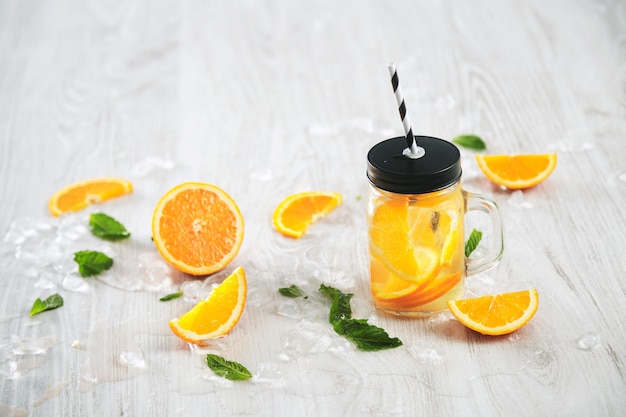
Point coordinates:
[(365, 336)]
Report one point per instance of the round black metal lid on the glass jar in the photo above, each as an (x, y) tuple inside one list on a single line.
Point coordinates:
[(390, 170)]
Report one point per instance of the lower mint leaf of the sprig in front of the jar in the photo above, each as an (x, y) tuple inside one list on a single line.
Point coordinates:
[(365, 336)]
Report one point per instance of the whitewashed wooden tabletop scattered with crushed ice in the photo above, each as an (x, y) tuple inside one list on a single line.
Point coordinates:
[(269, 98)]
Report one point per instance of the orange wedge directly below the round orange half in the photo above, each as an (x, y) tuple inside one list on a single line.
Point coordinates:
[(216, 315)]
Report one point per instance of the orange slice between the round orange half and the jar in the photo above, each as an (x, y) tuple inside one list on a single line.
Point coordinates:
[(298, 211)]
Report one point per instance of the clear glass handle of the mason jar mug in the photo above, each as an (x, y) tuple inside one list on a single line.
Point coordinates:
[(477, 202)]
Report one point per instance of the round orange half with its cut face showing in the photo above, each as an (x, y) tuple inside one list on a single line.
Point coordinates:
[(197, 228)]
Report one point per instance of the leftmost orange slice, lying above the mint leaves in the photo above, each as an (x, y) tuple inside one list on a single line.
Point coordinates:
[(79, 195)]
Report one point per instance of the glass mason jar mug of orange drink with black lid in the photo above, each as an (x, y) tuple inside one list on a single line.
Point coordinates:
[(416, 227)]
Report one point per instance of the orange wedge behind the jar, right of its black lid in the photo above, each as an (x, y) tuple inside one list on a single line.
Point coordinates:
[(517, 171)]
